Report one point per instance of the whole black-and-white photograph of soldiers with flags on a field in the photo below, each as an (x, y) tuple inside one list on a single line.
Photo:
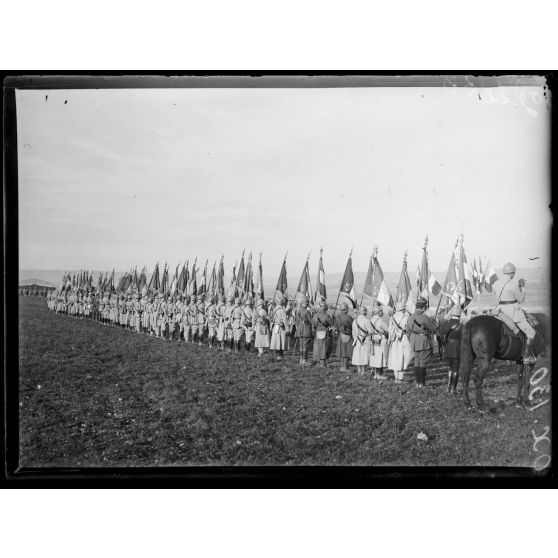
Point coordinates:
[(283, 271)]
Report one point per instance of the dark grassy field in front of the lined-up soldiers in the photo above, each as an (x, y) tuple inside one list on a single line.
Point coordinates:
[(94, 395)]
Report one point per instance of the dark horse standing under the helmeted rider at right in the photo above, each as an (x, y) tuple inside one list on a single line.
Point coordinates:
[(485, 338)]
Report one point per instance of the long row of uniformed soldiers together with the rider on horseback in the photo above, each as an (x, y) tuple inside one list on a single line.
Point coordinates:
[(378, 339)]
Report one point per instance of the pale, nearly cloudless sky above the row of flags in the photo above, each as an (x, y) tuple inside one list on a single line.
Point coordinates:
[(116, 178)]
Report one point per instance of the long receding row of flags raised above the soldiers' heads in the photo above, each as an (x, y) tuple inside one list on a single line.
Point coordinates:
[(456, 290)]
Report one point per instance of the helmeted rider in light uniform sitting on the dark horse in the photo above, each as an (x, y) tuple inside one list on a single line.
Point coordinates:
[(512, 295)]
